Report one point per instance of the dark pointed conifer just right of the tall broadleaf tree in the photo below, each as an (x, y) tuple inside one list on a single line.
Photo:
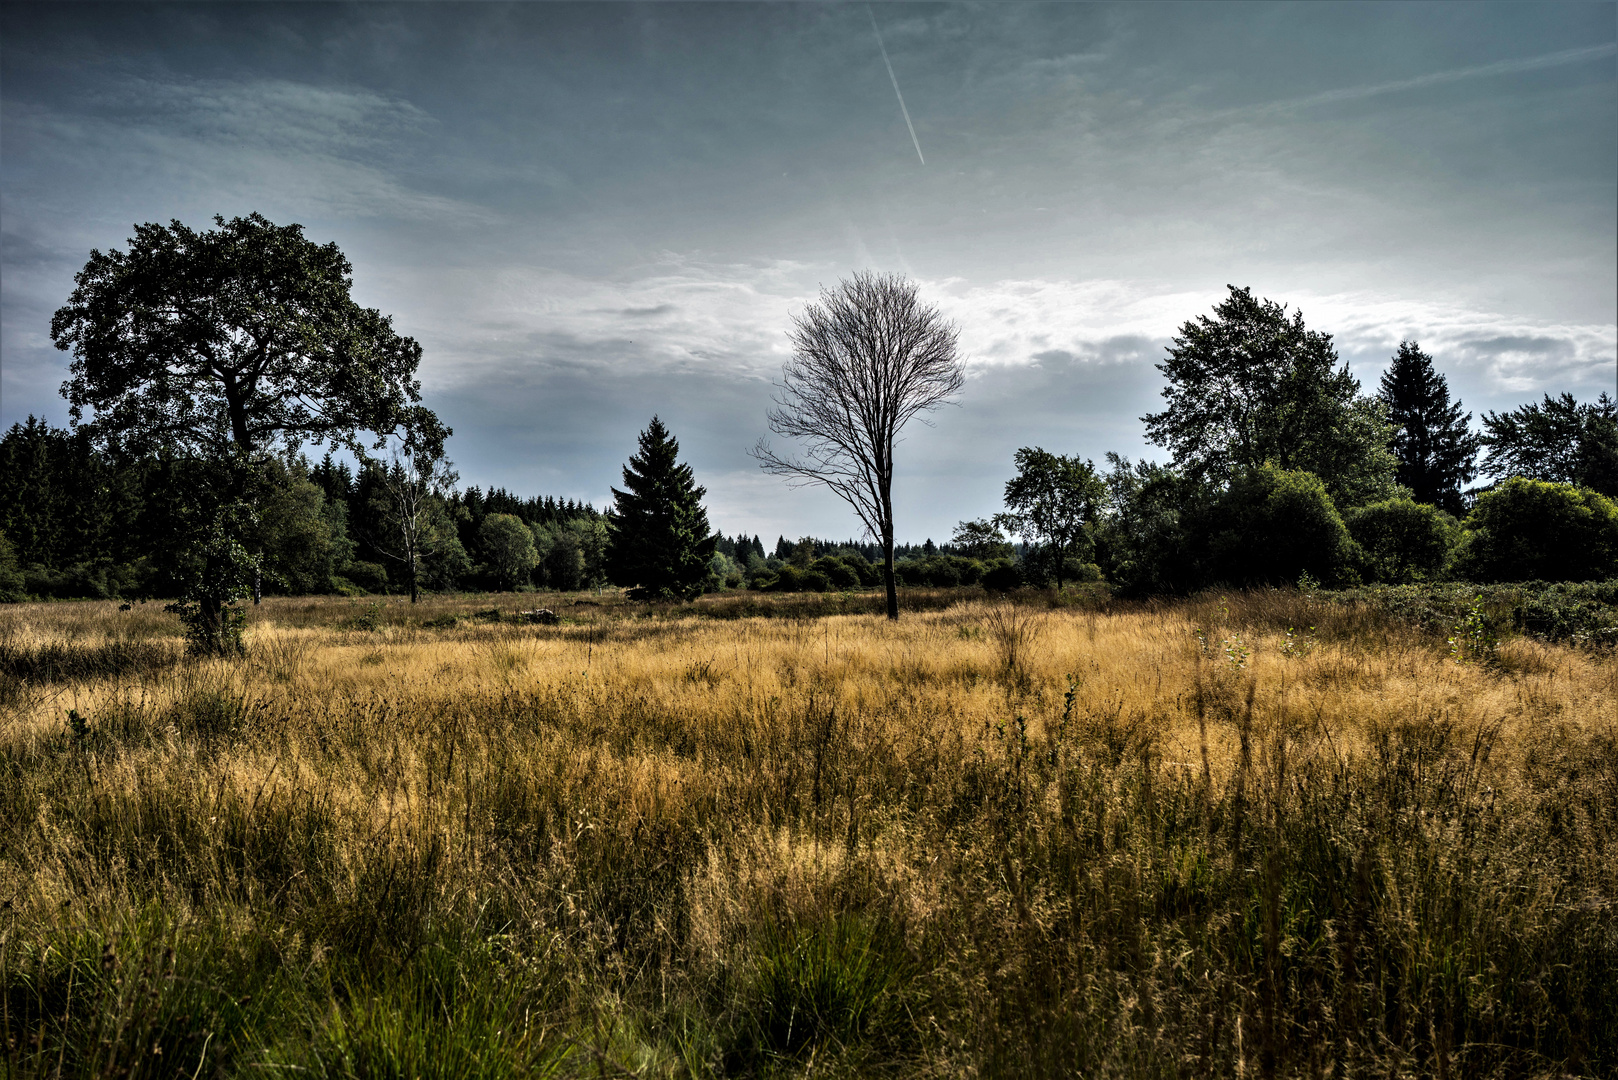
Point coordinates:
[(1433, 441)]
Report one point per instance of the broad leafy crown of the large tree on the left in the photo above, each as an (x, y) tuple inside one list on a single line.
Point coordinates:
[(234, 339)]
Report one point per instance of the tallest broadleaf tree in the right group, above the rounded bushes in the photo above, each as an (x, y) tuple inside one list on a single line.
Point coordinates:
[(1253, 386)]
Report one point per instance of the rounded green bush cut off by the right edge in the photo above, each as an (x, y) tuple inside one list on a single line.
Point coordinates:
[(1536, 530)]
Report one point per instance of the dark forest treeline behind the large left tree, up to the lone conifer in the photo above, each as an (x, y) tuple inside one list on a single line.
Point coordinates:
[(77, 522)]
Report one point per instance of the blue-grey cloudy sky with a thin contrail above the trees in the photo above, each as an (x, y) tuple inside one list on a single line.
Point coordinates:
[(593, 213)]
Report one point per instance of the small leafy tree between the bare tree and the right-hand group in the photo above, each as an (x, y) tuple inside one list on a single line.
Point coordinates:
[(1053, 503)]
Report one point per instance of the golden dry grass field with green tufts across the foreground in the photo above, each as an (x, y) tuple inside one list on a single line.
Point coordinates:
[(768, 836)]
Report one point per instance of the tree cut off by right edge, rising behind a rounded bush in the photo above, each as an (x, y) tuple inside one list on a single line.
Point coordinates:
[(1557, 441)]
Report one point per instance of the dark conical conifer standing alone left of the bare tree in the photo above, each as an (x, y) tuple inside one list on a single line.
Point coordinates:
[(661, 540)]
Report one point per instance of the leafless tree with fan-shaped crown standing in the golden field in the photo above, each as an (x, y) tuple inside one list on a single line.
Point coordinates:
[(866, 360)]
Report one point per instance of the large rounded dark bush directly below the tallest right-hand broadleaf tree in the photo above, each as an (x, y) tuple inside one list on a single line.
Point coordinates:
[(1273, 527)]
